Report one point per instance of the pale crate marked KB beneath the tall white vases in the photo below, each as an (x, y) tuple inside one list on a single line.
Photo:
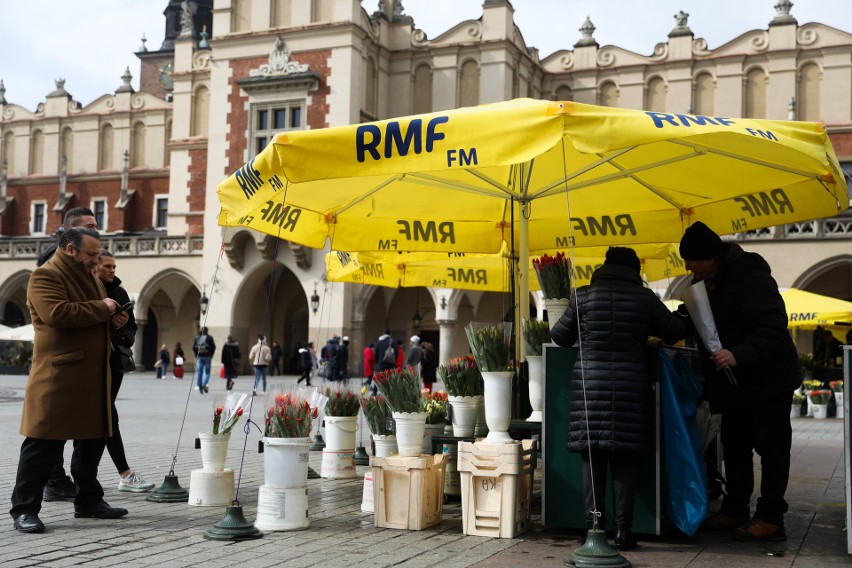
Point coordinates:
[(496, 483)]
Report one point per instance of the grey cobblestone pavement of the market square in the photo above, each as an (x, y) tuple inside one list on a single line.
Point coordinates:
[(171, 534)]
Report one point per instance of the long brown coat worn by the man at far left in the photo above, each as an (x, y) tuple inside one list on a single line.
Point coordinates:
[(67, 394)]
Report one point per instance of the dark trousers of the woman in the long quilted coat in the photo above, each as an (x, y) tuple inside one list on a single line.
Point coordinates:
[(623, 466)]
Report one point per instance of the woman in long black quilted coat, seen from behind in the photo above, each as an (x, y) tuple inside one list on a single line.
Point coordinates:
[(612, 402)]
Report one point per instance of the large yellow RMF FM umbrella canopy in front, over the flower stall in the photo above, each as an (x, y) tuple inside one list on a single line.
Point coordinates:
[(573, 174)]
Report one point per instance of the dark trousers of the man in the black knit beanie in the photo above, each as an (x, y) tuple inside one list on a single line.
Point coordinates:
[(764, 428)]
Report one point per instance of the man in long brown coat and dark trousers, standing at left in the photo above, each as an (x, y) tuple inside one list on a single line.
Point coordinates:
[(67, 394)]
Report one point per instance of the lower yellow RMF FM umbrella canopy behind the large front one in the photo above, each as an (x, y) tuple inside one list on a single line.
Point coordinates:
[(484, 272)]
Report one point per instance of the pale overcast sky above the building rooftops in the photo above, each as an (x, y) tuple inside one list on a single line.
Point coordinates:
[(89, 43)]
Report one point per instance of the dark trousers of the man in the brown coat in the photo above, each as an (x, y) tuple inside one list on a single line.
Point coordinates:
[(36, 461)]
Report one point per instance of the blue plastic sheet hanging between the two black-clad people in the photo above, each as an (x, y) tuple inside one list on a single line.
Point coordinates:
[(686, 477)]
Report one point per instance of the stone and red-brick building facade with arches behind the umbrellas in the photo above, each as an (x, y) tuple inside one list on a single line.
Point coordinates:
[(230, 73)]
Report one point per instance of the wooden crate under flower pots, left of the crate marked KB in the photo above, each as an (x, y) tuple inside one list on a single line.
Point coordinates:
[(408, 493)]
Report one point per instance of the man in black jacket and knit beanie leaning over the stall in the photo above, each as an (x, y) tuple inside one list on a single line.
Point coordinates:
[(755, 400)]
